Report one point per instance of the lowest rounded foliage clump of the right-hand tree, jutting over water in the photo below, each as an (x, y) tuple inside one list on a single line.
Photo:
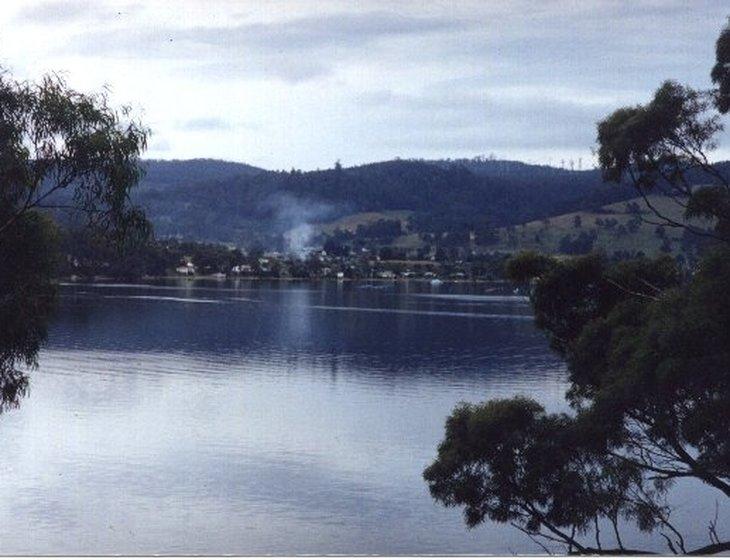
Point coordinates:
[(509, 461)]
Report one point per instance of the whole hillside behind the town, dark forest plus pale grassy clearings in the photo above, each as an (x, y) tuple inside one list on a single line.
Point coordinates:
[(409, 204)]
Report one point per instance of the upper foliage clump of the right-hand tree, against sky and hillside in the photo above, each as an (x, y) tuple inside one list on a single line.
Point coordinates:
[(663, 146)]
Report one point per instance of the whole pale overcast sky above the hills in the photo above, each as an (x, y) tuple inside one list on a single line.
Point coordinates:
[(303, 83)]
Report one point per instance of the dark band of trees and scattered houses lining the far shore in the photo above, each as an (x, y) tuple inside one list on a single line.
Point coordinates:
[(85, 254)]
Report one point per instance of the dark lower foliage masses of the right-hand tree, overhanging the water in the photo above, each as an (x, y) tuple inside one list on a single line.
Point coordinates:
[(650, 383)]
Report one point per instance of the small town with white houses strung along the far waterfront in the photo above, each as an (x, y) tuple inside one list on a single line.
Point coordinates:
[(174, 258)]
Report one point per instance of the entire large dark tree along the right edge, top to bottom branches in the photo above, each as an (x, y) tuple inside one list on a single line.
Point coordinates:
[(648, 355)]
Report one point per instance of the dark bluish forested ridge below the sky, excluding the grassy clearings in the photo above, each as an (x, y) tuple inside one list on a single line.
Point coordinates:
[(230, 202)]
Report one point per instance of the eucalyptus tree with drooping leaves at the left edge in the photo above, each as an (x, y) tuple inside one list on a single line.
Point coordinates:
[(59, 149)]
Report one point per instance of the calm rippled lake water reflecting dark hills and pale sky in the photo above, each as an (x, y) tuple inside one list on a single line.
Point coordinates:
[(259, 418)]
